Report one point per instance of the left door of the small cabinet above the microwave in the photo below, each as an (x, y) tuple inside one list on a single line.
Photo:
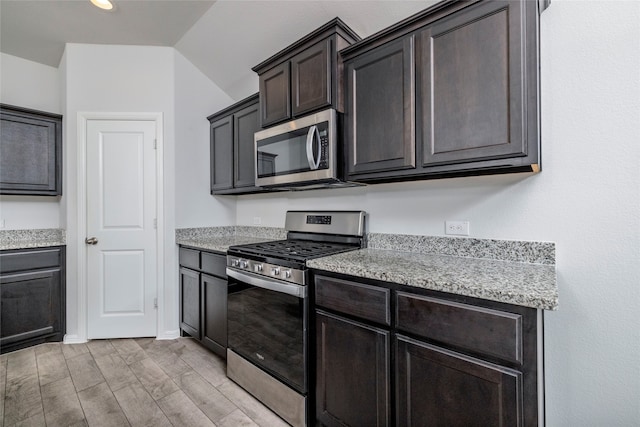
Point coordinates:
[(275, 95)]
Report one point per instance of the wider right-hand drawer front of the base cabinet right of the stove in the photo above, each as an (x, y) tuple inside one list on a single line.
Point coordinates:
[(482, 330)]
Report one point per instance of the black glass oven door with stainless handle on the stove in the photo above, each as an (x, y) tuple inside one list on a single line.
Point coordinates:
[(267, 325)]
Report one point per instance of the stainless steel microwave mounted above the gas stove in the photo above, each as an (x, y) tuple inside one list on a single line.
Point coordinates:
[(300, 154)]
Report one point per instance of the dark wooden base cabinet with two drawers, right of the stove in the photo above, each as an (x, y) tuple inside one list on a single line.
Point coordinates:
[(389, 354)]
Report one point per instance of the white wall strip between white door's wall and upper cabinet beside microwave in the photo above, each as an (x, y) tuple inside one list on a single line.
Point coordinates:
[(196, 98)]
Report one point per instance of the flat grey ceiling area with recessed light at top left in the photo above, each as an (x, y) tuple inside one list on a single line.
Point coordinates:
[(38, 29)]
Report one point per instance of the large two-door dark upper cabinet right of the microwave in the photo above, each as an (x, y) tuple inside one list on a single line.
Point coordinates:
[(456, 93)]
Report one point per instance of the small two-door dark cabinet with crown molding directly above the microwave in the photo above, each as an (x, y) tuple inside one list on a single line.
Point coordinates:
[(306, 76)]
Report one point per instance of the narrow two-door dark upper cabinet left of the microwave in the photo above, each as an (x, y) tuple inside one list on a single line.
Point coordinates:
[(232, 147)]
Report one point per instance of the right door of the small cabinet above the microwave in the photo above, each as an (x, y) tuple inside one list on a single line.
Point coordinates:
[(311, 78)]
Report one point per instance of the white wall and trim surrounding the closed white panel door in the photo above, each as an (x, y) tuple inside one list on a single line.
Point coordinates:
[(120, 79)]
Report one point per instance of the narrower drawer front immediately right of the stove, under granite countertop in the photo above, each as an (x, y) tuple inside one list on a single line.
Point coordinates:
[(356, 299)]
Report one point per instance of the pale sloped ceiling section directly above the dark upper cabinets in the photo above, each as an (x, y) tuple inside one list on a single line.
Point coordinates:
[(242, 34)]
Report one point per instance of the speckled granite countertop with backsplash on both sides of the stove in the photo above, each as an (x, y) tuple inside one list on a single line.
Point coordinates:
[(515, 272)]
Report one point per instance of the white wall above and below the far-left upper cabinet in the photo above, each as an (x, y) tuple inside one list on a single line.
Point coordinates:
[(30, 85)]
